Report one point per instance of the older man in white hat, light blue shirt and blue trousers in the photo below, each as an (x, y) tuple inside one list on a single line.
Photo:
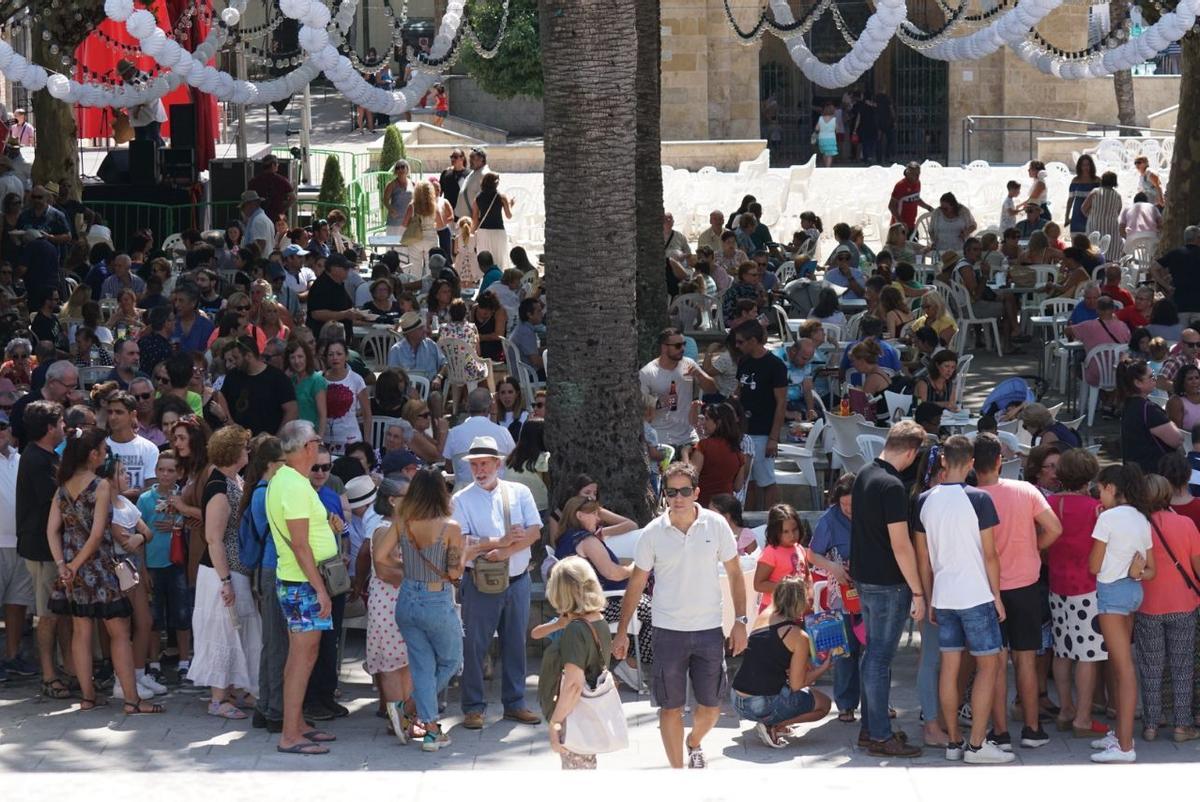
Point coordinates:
[(501, 522)]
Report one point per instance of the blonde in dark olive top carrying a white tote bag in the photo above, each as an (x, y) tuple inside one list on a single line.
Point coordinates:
[(579, 656)]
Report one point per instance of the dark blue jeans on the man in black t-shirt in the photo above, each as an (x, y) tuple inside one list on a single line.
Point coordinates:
[(885, 611)]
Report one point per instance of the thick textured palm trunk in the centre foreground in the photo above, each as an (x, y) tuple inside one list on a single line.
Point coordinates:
[(595, 422)]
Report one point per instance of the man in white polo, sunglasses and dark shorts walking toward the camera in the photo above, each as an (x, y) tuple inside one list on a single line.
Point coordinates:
[(683, 548)]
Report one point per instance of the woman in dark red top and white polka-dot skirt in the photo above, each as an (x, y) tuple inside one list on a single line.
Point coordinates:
[(1077, 633)]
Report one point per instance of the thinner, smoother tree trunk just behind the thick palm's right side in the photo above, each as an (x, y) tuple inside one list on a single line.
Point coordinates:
[(652, 286)]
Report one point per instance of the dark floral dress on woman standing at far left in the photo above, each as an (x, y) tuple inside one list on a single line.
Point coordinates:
[(95, 592)]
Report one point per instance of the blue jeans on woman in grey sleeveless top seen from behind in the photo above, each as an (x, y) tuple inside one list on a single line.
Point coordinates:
[(434, 637)]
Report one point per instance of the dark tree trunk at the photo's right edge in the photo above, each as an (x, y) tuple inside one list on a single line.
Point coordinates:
[(1184, 189)]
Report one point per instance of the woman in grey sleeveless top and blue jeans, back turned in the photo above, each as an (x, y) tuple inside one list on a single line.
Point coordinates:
[(431, 555)]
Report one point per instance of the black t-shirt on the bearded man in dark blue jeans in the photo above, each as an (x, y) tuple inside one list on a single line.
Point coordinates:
[(879, 499)]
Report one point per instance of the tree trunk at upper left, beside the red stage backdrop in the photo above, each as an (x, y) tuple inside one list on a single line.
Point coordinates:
[(57, 154)]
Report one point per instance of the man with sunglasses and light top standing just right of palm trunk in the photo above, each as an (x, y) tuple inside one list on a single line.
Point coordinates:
[(670, 379)]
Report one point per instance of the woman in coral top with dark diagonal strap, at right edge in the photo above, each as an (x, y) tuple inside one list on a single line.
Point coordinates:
[(1165, 625)]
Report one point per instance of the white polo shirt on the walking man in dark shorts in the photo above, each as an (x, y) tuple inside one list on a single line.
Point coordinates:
[(687, 585)]
